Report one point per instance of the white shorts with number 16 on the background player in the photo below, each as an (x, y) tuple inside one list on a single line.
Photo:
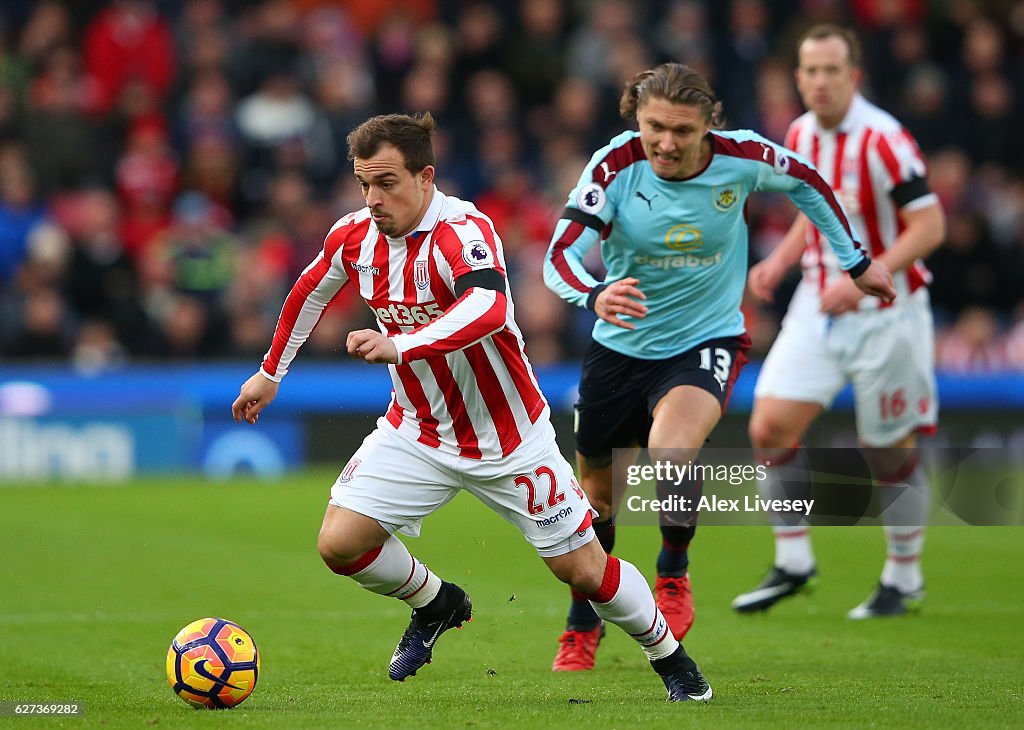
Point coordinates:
[(888, 356)]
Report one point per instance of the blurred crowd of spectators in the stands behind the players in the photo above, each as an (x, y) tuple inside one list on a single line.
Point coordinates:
[(168, 168)]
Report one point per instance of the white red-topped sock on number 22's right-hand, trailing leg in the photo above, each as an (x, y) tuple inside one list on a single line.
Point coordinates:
[(625, 599)]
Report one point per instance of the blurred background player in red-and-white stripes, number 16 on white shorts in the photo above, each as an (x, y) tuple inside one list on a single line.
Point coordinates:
[(833, 334)]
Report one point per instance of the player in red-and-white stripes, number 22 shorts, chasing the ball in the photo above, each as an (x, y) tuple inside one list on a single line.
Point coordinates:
[(466, 412)]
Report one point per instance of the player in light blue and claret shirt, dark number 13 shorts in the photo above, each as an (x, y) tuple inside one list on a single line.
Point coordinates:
[(667, 206)]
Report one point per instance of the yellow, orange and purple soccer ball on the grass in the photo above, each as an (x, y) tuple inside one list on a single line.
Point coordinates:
[(214, 664)]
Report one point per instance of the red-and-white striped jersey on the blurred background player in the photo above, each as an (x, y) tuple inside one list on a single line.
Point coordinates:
[(876, 169)]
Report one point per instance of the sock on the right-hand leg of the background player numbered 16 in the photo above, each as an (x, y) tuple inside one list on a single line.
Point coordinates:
[(906, 502)]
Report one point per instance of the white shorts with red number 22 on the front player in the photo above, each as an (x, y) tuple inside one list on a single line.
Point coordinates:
[(399, 482)]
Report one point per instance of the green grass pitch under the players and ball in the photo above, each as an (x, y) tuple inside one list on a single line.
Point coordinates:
[(96, 581)]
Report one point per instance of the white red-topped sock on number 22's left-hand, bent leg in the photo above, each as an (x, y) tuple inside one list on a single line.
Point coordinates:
[(394, 572)]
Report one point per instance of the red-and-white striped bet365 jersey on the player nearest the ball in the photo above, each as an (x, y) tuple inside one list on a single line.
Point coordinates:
[(463, 384)]
